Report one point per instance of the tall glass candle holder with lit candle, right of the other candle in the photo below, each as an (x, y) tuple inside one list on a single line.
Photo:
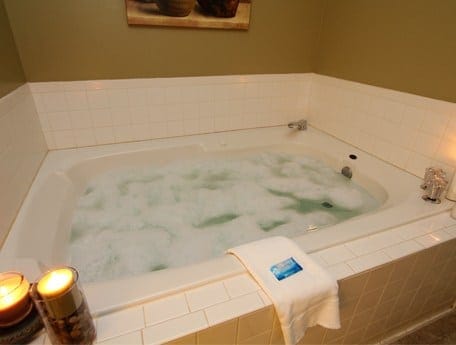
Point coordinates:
[(63, 307)]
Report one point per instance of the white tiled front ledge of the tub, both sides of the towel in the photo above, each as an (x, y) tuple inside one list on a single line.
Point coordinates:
[(234, 298)]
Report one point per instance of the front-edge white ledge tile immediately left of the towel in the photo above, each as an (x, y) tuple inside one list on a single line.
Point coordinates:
[(233, 308)]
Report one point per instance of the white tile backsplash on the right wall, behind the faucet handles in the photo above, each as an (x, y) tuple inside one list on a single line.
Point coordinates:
[(409, 131)]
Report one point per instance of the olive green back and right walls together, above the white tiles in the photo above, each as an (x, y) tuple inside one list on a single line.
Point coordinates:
[(406, 45)]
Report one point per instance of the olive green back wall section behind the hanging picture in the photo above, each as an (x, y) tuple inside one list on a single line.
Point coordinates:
[(87, 39)]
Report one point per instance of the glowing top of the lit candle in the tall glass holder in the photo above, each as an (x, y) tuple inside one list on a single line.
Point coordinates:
[(55, 283)]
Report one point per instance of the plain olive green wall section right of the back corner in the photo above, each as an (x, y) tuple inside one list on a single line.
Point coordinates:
[(406, 45)]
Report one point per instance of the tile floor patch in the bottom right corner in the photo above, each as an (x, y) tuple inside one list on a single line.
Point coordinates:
[(442, 331)]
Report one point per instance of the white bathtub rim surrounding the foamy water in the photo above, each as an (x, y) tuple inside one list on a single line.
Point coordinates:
[(42, 227)]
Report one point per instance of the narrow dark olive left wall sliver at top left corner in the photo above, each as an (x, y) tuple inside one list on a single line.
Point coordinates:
[(11, 74)]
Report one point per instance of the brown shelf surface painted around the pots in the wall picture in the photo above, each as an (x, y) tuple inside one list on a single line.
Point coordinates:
[(140, 12)]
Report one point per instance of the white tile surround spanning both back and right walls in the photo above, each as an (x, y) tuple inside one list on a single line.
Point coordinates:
[(409, 131)]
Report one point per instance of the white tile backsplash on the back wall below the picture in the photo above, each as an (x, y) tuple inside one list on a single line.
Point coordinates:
[(86, 113)]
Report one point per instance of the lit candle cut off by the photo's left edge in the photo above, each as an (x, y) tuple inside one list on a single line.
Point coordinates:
[(14, 298)]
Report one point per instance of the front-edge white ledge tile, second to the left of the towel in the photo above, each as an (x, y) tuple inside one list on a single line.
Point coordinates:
[(175, 328)]
